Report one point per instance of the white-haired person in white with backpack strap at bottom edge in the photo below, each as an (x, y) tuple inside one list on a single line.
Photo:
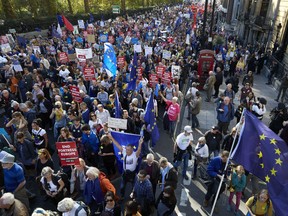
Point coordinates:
[(68, 207)]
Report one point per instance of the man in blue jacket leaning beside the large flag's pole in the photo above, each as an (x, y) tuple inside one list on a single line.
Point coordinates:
[(215, 170)]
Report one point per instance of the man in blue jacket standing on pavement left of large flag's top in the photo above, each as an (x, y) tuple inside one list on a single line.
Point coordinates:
[(225, 114)]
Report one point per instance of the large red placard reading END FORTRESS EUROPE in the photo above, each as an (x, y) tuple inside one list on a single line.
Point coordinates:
[(68, 154)]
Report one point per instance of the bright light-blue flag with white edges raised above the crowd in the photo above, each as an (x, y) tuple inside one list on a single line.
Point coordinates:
[(109, 60)]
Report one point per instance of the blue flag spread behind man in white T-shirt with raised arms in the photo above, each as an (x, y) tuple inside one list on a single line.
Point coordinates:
[(124, 139)]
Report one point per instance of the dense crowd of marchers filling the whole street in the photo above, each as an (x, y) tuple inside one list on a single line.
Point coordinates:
[(40, 110)]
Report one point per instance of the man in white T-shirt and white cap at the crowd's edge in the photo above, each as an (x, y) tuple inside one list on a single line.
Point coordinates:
[(183, 150)]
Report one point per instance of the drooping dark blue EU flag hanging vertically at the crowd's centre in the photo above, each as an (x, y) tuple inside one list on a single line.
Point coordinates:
[(150, 119)]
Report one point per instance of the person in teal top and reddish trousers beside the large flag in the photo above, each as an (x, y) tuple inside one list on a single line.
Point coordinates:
[(238, 182)]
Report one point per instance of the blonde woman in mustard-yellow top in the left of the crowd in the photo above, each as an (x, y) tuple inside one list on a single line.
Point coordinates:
[(59, 116)]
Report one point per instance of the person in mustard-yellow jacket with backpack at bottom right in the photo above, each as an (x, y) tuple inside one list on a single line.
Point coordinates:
[(260, 204)]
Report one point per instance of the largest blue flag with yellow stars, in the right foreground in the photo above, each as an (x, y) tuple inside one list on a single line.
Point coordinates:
[(265, 155)]
